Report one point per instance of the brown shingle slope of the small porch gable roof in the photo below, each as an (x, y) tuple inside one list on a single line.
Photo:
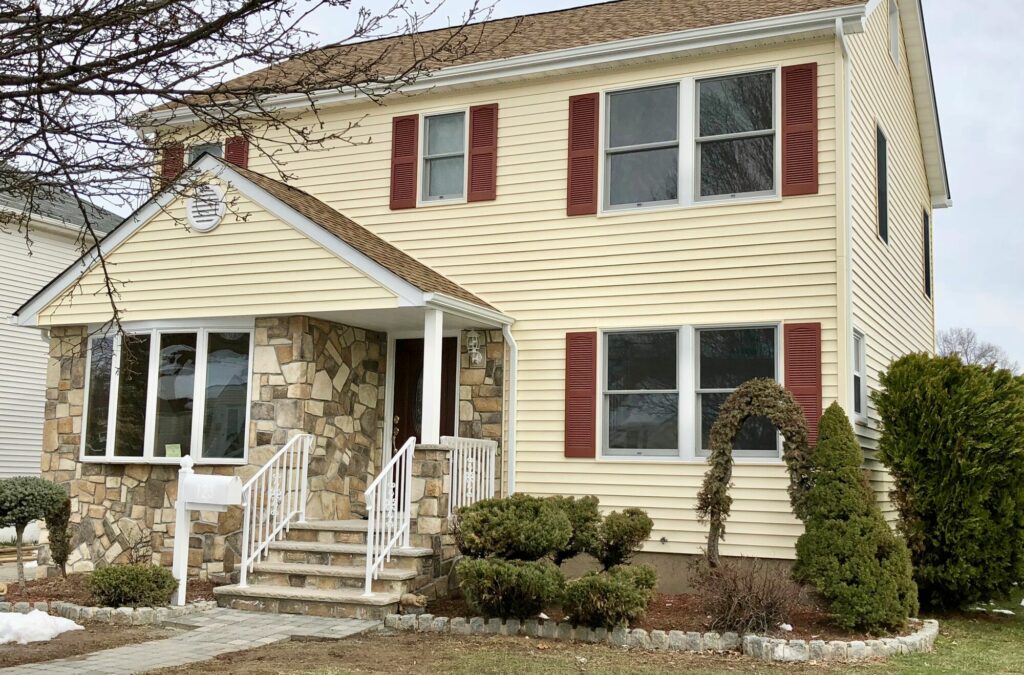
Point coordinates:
[(362, 239)]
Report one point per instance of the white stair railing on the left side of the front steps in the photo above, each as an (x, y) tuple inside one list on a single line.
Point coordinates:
[(273, 499)]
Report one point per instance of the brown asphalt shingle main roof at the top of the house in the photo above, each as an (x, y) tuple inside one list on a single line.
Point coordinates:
[(376, 60)]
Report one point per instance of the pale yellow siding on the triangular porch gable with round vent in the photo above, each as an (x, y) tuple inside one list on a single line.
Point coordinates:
[(251, 265)]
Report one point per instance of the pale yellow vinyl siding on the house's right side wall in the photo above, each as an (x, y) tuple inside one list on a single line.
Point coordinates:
[(889, 302)]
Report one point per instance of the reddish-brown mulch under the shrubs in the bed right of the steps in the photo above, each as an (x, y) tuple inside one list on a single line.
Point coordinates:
[(680, 613)]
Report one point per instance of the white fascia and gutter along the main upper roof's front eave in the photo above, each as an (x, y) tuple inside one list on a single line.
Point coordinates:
[(576, 58)]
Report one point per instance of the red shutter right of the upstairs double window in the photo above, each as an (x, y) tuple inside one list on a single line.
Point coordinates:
[(800, 131)]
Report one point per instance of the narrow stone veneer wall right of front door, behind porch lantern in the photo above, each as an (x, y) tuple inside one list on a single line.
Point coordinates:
[(482, 389)]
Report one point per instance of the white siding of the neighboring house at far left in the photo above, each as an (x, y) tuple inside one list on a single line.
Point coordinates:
[(24, 351)]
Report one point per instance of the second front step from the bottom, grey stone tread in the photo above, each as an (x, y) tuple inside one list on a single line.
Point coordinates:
[(298, 575)]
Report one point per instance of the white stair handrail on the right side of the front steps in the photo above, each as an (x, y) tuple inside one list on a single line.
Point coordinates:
[(390, 500)]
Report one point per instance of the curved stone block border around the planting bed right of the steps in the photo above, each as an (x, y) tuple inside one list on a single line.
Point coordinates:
[(765, 649)]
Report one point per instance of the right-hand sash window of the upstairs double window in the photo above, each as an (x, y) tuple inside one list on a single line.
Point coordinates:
[(736, 144)]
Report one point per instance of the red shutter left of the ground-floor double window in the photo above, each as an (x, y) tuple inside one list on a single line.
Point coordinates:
[(581, 395)]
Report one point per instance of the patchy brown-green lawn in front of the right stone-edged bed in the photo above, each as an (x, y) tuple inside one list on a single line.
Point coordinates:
[(968, 644)]
